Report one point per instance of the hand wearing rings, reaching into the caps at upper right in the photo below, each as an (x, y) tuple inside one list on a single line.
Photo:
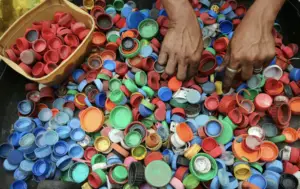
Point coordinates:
[(252, 45)]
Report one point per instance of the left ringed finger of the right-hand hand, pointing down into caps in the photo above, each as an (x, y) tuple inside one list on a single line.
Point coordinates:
[(230, 73)]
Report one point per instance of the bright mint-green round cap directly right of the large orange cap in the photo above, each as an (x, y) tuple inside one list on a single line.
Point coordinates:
[(120, 113)]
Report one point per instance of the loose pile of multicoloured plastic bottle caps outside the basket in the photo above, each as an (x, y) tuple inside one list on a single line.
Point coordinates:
[(119, 121)]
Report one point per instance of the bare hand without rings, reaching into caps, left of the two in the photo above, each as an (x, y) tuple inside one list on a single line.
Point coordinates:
[(182, 46)]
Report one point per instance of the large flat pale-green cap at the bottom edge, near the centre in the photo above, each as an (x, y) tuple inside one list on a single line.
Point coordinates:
[(158, 173)]
